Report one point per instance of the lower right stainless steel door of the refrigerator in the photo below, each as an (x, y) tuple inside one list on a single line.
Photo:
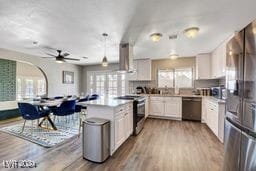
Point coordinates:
[(248, 153)]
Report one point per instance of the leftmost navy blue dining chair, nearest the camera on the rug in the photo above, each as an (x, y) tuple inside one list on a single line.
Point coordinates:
[(30, 112)]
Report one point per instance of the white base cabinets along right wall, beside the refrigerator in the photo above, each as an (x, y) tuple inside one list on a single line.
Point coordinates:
[(215, 117)]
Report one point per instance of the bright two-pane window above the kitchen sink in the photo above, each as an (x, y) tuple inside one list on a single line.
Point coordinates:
[(178, 77)]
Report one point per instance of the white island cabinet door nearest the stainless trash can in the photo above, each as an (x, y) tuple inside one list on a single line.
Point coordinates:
[(119, 130)]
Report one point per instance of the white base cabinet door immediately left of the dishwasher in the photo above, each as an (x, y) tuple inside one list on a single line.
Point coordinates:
[(172, 109)]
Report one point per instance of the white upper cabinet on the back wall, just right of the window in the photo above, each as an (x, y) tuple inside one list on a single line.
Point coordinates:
[(203, 66)]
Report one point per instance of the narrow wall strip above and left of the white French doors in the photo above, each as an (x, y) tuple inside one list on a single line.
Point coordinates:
[(111, 67)]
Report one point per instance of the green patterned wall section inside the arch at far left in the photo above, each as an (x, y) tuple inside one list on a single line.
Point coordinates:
[(7, 80)]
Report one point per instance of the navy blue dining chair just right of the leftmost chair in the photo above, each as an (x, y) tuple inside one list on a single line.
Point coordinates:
[(66, 108)]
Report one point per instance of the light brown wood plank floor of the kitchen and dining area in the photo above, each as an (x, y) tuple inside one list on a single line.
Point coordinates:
[(162, 145)]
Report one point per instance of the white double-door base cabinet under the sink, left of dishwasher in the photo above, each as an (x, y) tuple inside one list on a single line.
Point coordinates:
[(165, 107)]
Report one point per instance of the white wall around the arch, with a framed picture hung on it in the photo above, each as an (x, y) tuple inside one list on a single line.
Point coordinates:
[(52, 70)]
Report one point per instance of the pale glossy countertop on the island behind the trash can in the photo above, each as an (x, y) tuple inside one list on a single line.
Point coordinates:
[(106, 101)]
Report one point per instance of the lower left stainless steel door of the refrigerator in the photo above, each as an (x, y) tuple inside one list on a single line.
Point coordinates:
[(232, 147)]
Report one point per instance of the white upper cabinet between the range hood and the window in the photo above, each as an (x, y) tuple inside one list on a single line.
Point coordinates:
[(143, 70)]
